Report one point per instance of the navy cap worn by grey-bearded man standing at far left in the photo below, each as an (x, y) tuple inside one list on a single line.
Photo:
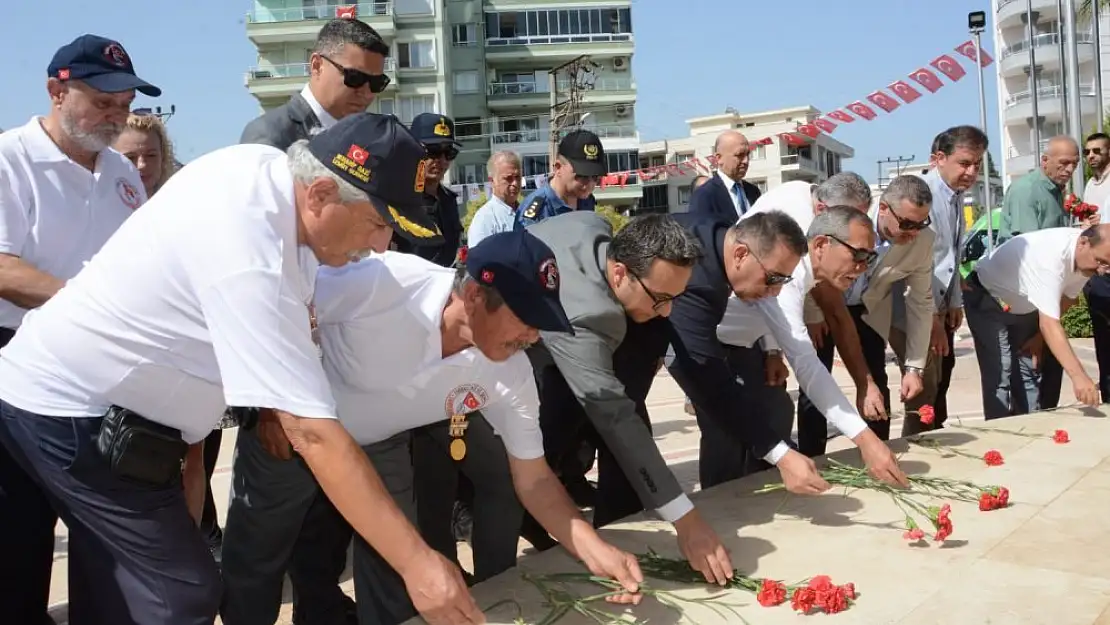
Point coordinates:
[(102, 64)]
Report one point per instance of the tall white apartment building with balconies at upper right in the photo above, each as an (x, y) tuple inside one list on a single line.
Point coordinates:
[(1015, 52)]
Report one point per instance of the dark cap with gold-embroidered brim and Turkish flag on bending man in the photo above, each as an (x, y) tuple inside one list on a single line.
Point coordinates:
[(379, 156)]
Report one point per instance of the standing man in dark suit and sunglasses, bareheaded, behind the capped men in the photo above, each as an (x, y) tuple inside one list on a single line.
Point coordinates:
[(346, 74)]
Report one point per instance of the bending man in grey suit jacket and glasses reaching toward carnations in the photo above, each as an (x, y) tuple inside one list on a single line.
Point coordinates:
[(614, 288)]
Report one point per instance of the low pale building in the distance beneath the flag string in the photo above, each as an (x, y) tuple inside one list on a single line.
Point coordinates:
[(773, 165)]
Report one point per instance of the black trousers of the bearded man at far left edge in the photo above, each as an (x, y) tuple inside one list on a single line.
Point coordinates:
[(27, 540)]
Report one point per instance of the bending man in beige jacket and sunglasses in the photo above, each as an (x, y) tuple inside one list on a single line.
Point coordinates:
[(904, 264)]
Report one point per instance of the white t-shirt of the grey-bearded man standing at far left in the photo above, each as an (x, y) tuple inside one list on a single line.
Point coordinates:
[(55, 214)]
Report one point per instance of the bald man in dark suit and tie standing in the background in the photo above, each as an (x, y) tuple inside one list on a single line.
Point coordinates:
[(726, 195)]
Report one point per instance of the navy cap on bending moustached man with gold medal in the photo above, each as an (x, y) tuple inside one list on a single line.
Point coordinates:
[(523, 270)]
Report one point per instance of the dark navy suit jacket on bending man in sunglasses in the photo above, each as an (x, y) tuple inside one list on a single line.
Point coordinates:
[(700, 364)]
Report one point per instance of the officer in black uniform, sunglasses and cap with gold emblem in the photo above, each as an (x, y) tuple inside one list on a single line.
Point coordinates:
[(438, 135)]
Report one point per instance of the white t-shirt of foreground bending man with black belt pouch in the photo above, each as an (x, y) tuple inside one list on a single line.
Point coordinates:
[(198, 303)]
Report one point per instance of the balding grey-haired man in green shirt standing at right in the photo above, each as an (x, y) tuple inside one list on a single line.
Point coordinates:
[(1036, 200)]
